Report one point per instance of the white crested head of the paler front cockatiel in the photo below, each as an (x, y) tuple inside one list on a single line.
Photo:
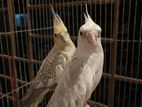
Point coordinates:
[(90, 32)]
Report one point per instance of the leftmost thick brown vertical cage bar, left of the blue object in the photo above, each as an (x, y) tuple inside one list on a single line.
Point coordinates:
[(13, 74)]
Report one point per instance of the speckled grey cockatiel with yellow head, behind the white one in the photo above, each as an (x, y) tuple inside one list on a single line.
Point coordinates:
[(52, 66)]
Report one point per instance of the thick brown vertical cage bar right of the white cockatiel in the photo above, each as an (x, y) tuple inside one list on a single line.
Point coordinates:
[(113, 55)]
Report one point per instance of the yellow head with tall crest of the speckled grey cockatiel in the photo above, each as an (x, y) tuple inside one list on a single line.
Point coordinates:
[(60, 32)]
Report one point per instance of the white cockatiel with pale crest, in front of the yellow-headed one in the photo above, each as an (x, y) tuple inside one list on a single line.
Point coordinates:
[(84, 71)]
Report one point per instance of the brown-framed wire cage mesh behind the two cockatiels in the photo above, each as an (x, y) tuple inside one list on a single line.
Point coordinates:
[(26, 38)]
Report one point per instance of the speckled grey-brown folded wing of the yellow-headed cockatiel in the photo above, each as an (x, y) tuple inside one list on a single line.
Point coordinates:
[(46, 77)]
